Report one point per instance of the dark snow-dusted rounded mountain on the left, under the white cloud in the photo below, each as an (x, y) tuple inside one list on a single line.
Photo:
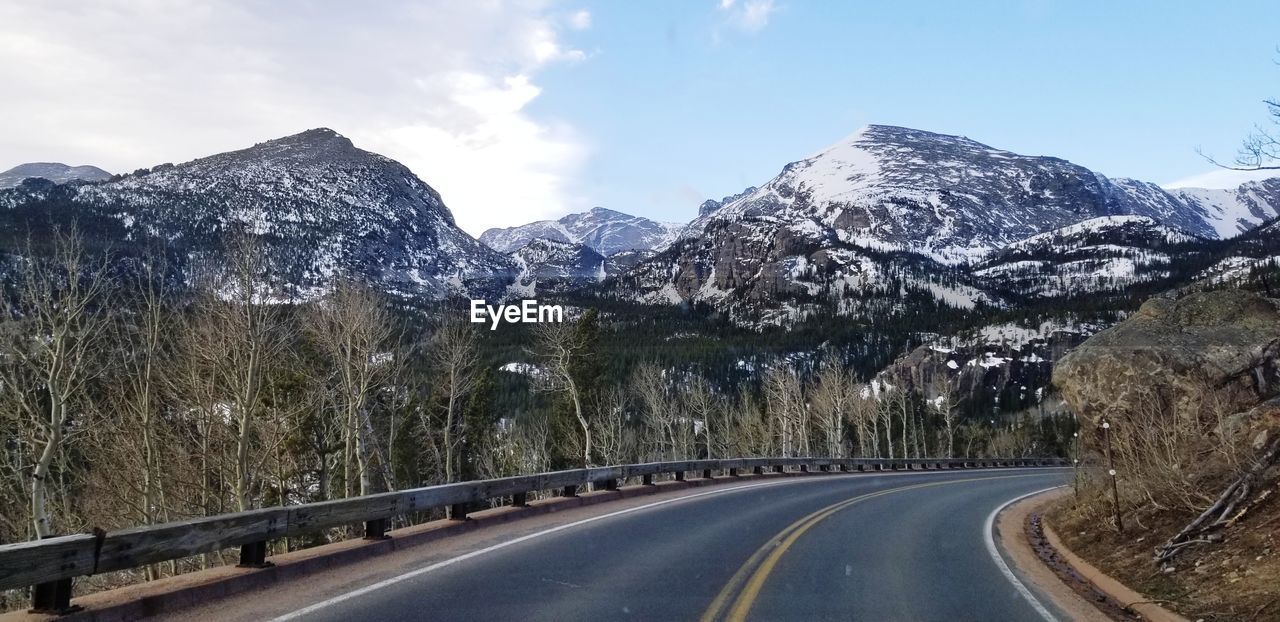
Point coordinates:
[(322, 207)]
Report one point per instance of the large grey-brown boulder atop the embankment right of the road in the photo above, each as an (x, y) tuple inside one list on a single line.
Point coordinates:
[(1224, 345)]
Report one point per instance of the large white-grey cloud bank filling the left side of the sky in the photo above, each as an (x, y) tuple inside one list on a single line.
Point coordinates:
[(444, 89)]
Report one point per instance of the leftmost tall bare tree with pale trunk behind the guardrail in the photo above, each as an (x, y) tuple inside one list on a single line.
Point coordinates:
[(57, 323)]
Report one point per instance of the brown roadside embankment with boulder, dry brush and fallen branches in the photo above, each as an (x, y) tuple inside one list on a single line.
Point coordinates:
[(1191, 394)]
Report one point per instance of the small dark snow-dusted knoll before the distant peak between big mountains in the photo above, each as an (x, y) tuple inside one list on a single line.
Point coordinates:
[(545, 264)]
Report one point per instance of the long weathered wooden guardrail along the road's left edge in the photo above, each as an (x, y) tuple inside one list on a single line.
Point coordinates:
[(49, 565)]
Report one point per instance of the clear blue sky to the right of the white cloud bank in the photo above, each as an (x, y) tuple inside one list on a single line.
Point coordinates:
[(679, 100)]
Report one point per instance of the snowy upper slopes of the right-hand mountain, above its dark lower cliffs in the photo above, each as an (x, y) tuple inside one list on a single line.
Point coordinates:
[(956, 199)]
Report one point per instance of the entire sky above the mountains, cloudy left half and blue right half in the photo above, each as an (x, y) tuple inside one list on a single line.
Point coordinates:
[(529, 109)]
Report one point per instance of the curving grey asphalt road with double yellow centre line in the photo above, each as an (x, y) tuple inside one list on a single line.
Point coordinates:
[(839, 547)]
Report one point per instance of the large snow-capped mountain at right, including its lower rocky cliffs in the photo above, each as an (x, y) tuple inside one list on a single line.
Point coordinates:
[(885, 212)]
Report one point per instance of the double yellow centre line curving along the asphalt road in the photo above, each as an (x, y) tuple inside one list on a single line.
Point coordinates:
[(749, 579)]
